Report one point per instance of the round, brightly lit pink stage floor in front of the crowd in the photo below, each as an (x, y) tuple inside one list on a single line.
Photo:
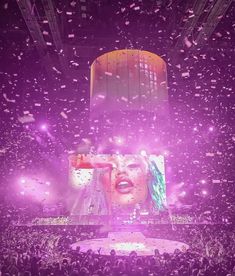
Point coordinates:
[(125, 242)]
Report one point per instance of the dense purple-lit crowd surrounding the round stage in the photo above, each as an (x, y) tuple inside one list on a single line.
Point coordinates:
[(45, 250)]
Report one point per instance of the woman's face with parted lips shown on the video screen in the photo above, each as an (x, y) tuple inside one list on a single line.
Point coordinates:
[(126, 182)]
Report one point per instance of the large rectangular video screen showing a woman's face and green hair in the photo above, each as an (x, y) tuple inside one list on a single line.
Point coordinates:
[(110, 184)]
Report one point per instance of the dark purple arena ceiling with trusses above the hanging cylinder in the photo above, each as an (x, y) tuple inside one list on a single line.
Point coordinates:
[(68, 35)]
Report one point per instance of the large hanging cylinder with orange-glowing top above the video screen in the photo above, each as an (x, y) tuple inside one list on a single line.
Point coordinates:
[(128, 80)]
